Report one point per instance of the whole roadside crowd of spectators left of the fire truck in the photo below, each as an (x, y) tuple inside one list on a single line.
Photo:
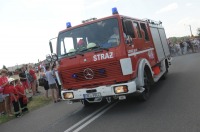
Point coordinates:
[(13, 91)]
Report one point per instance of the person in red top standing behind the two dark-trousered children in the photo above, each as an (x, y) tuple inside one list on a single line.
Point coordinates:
[(33, 83)]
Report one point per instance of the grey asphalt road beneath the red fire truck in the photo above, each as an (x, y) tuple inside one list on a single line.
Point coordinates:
[(174, 106)]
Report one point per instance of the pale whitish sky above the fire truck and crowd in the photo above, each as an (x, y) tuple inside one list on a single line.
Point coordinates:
[(27, 25)]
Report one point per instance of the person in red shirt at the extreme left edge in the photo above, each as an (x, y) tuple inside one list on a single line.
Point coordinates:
[(6, 91)]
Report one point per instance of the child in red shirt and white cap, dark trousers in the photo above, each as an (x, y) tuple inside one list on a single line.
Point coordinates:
[(14, 97)]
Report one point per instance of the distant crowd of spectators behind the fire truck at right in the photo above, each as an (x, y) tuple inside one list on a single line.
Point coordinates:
[(184, 47)]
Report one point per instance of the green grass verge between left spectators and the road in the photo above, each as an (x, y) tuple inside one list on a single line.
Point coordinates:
[(35, 103)]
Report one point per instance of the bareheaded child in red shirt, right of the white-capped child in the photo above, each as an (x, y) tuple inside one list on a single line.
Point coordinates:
[(22, 96)]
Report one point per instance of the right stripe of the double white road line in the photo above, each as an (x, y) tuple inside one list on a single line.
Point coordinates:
[(93, 118)]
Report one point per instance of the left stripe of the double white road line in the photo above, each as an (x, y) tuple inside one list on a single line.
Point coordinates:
[(86, 118)]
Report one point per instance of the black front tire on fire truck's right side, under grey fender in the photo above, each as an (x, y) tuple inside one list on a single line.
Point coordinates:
[(144, 96)]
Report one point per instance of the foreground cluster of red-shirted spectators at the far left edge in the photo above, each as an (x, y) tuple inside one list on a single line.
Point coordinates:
[(12, 95)]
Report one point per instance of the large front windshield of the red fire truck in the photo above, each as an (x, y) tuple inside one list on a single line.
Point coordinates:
[(102, 34)]
